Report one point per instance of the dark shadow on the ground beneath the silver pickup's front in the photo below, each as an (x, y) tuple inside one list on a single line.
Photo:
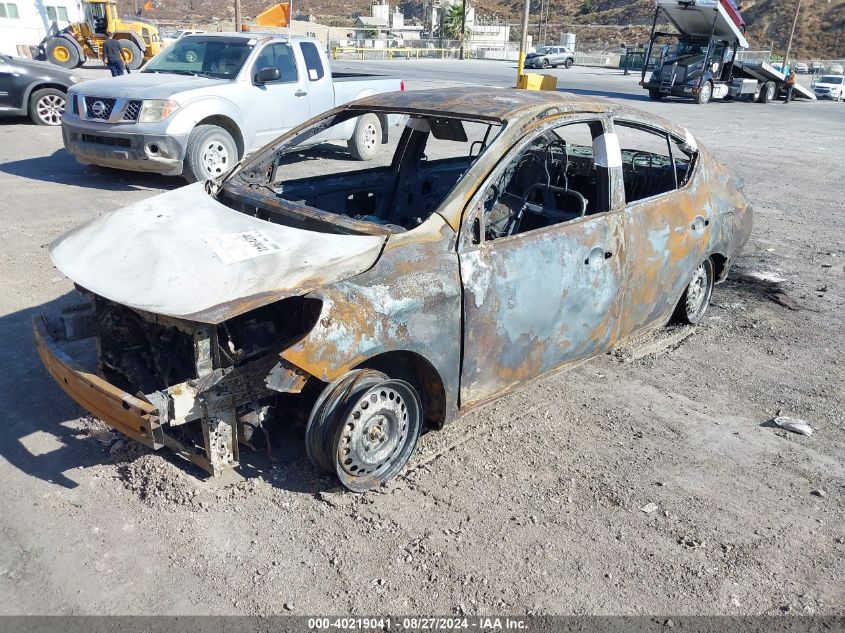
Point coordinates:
[(60, 167)]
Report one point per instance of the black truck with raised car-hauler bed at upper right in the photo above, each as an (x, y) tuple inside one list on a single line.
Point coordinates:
[(704, 64)]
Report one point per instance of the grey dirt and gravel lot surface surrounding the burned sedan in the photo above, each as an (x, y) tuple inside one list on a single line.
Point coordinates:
[(648, 480)]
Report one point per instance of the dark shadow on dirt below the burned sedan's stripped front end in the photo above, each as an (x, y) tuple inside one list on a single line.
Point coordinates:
[(44, 438)]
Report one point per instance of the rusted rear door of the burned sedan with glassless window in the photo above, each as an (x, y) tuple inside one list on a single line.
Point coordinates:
[(666, 224)]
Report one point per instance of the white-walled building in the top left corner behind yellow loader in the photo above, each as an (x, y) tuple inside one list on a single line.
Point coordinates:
[(25, 23)]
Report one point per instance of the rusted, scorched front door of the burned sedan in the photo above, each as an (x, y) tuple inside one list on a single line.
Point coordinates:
[(537, 299)]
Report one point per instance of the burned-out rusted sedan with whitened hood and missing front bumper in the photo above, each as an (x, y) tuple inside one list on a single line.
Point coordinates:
[(497, 236)]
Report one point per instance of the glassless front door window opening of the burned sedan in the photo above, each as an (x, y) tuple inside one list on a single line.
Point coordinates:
[(554, 180)]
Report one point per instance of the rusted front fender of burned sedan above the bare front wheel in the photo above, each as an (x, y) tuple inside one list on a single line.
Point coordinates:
[(409, 301)]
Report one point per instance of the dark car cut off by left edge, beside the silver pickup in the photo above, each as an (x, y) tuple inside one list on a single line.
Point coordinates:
[(34, 89)]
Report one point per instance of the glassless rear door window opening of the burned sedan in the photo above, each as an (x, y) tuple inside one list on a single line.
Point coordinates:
[(652, 162)]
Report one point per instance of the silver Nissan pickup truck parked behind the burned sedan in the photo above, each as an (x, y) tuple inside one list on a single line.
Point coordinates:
[(208, 100)]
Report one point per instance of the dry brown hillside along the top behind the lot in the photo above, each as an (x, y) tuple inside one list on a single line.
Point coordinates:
[(820, 32)]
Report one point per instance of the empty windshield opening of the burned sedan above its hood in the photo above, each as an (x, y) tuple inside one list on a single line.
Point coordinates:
[(315, 180)]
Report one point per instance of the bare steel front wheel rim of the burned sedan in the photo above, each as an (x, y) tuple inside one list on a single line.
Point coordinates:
[(377, 435)]
